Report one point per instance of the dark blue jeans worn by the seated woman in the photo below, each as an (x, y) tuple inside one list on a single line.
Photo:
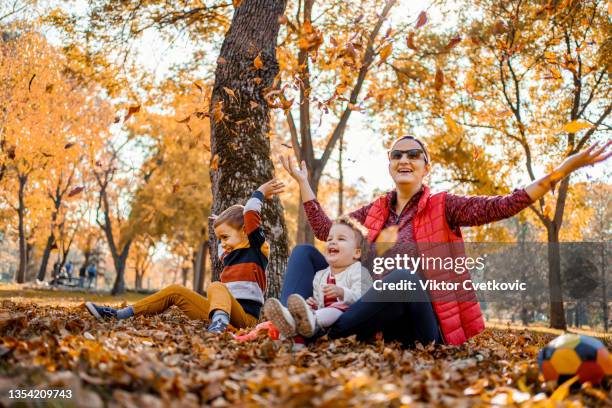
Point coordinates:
[(403, 321)]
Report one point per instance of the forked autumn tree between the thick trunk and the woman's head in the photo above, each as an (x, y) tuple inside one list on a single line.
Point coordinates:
[(327, 78)]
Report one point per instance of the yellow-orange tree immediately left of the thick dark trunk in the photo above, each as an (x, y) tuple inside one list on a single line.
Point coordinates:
[(174, 202)]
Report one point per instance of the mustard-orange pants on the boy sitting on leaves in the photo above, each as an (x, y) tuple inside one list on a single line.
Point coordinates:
[(195, 305)]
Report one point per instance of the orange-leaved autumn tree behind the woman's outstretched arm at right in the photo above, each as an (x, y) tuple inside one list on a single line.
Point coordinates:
[(523, 85)]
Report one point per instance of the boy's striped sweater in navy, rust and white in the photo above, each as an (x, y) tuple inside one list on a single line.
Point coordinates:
[(244, 268)]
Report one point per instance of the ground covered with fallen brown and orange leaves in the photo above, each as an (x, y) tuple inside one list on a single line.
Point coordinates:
[(152, 362)]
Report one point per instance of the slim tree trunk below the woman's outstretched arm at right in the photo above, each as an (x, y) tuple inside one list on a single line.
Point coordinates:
[(557, 315)]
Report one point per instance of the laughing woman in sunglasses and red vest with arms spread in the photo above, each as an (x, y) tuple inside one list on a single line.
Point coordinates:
[(420, 218)]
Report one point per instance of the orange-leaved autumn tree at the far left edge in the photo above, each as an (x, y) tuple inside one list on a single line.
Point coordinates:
[(45, 111)]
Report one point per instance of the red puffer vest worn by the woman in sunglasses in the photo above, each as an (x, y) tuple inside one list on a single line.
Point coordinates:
[(458, 312)]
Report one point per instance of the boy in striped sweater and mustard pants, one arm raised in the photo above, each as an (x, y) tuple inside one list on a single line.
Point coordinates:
[(237, 299)]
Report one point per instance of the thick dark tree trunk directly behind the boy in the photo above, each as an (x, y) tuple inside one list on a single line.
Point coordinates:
[(240, 122)]
